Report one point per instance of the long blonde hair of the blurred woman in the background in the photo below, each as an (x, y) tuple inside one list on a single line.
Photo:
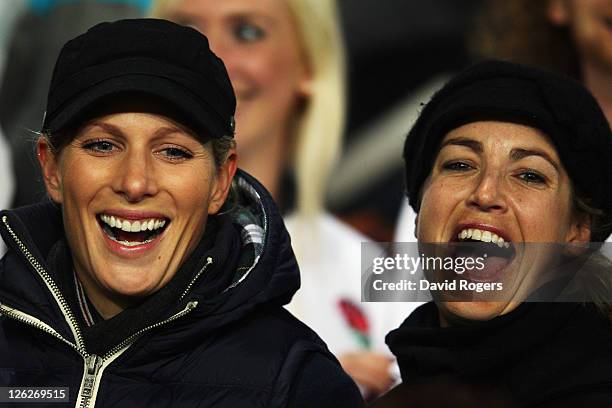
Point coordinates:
[(320, 123)]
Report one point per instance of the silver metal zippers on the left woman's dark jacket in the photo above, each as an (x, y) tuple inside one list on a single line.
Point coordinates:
[(94, 365)]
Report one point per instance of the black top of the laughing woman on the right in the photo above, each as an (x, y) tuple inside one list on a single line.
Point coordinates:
[(539, 355)]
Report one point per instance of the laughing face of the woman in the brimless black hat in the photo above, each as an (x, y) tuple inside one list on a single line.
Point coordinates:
[(503, 180)]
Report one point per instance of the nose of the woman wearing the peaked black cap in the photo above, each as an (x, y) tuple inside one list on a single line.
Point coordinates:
[(135, 178)]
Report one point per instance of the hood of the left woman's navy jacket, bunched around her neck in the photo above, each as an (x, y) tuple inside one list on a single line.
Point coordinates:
[(260, 262)]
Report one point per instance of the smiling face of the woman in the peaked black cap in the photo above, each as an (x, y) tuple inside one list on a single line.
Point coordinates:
[(136, 190)]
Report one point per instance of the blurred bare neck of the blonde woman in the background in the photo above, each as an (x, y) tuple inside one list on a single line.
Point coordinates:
[(266, 161)]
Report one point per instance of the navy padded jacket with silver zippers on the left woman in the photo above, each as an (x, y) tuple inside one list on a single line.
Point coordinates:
[(215, 336)]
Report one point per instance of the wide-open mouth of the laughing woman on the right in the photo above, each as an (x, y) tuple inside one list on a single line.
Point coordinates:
[(492, 252)]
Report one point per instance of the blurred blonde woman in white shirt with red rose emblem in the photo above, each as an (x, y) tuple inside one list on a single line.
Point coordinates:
[(286, 63)]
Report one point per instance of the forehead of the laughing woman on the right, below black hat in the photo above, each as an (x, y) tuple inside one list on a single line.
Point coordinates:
[(502, 137)]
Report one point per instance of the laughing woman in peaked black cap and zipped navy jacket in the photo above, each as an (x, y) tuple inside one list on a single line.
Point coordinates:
[(142, 283)]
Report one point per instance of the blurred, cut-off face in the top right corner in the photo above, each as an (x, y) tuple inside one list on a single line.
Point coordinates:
[(590, 22)]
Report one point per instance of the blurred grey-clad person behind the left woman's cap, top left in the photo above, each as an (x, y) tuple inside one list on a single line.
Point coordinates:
[(37, 35)]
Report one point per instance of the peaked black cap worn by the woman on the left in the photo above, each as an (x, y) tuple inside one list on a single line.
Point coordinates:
[(158, 58)]
